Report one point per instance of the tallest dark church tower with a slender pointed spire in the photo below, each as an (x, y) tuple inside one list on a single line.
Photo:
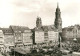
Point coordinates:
[(58, 20)]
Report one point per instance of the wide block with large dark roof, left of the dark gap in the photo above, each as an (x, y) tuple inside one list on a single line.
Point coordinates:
[(23, 36)]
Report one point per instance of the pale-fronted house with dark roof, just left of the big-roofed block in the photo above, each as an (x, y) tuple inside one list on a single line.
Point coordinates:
[(8, 39)]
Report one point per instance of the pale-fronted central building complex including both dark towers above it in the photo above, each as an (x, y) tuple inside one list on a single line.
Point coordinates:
[(50, 33)]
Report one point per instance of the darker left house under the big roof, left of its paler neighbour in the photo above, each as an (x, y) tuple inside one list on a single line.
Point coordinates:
[(18, 35)]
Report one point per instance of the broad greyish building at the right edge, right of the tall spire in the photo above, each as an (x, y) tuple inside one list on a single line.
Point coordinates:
[(71, 32)]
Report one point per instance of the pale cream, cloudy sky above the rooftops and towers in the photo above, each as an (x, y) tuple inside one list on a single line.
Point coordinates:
[(25, 12)]
